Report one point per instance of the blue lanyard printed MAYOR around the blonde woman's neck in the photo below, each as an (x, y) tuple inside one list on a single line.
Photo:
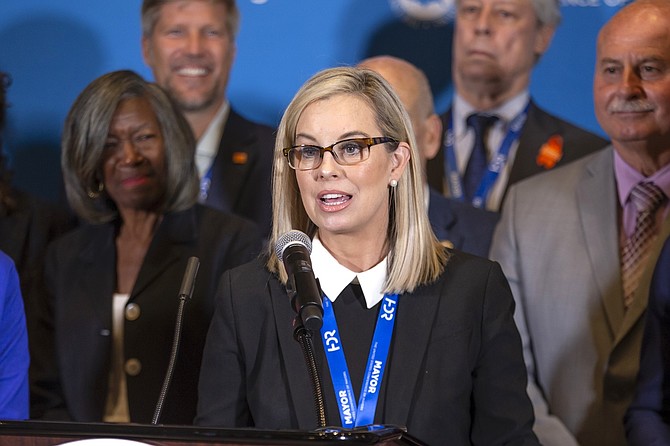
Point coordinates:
[(374, 371)]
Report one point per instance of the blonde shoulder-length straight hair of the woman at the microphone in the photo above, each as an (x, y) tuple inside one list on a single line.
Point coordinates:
[(415, 255)]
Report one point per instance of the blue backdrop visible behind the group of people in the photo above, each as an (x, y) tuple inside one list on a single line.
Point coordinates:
[(54, 49)]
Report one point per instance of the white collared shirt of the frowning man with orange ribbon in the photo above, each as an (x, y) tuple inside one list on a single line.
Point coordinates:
[(464, 139)]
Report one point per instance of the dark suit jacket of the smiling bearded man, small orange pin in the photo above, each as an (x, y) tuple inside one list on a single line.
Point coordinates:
[(242, 171)]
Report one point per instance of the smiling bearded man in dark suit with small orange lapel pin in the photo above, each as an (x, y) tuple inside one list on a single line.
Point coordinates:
[(190, 46)]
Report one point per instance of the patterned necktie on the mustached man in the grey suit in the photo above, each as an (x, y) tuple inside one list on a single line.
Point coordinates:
[(647, 198)]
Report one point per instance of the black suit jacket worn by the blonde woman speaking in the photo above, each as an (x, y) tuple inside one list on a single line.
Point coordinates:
[(455, 369)]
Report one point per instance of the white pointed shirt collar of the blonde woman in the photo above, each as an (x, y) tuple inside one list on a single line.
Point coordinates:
[(334, 277)]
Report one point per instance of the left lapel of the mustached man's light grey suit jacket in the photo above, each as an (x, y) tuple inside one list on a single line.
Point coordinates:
[(596, 197)]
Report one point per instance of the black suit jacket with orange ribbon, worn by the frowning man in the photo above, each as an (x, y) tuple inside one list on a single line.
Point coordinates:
[(538, 128)]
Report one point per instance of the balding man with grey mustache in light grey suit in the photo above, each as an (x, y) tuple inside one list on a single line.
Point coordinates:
[(578, 244)]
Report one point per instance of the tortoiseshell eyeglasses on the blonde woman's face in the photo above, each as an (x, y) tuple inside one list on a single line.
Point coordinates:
[(346, 152)]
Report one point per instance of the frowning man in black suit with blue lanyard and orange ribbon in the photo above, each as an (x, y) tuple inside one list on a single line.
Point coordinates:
[(495, 133)]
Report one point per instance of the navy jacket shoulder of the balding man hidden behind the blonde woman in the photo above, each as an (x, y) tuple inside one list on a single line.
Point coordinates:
[(461, 225)]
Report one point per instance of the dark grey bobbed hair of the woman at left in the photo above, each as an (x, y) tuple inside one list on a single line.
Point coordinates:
[(85, 132)]
